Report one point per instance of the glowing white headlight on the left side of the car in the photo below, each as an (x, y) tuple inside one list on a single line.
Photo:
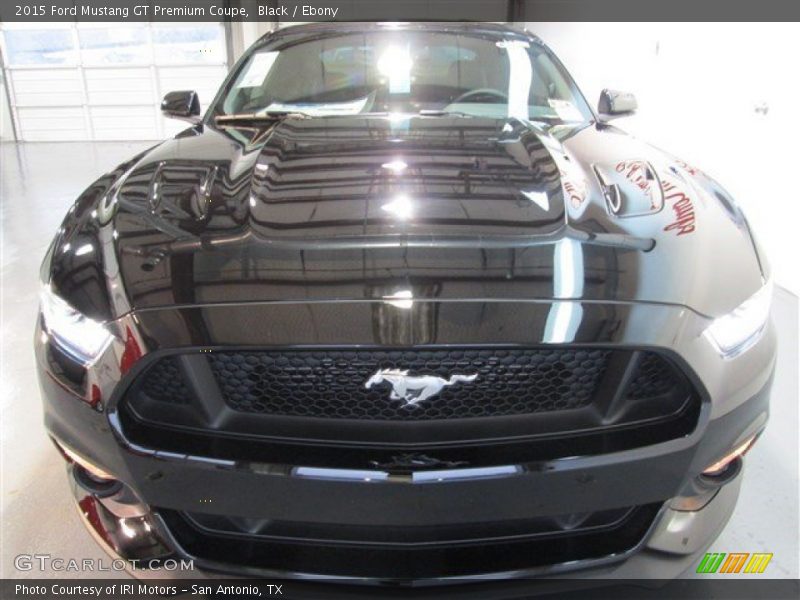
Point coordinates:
[(78, 335)]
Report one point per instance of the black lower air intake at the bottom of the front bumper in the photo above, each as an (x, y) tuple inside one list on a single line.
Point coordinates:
[(211, 538)]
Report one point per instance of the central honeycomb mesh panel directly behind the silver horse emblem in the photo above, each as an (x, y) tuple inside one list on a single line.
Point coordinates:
[(331, 383)]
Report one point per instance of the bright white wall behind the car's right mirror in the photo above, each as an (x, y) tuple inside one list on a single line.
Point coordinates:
[(721, 96)]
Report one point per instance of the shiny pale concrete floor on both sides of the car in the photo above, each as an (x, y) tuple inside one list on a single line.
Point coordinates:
[(40, 181)]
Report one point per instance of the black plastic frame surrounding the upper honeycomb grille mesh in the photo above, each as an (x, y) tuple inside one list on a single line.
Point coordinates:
[(354, 444)]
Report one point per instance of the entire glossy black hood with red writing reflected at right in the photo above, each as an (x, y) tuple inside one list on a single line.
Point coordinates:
[(354, 208)]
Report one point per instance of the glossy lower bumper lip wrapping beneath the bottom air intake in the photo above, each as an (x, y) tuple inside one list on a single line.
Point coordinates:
[(674, 544)]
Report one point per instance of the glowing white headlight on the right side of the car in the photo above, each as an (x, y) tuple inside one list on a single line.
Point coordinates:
[(738, 330)]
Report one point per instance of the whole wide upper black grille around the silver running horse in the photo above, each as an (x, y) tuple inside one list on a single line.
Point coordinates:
[(313, 405)]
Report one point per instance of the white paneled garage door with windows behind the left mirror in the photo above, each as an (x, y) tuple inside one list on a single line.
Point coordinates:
[(103, 81)]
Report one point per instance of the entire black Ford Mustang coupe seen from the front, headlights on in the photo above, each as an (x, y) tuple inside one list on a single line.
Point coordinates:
[(401, 306)]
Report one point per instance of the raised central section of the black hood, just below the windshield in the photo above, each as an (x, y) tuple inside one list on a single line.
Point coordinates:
[(386, 182)]
